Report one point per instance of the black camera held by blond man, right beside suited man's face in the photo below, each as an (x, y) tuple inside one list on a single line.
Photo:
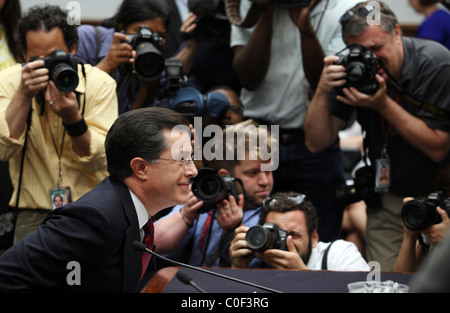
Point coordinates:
[(212, 188)]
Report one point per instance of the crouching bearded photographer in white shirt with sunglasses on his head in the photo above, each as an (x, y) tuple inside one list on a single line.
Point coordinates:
[(297, 219)]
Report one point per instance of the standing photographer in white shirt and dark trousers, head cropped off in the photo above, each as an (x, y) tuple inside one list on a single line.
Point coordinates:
[(278, 63)]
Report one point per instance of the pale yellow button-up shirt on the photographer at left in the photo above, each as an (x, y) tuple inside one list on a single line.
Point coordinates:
[(40, 172)]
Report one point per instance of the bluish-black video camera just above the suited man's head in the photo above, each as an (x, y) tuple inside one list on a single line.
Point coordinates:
[(188, 100)]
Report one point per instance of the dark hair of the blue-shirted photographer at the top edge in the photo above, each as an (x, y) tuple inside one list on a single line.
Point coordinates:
[(131, 11)]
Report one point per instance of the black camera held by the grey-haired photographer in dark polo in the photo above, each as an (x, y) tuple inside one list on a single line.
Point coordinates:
[(361, 66)]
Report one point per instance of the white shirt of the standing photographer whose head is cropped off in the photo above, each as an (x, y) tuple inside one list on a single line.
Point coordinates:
[(283, 96)]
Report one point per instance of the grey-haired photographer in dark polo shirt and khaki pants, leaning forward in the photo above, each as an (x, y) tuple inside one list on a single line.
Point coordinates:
[(414, 141)]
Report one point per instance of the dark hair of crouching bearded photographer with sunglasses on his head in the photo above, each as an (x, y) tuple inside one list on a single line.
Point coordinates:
[(284, 204)]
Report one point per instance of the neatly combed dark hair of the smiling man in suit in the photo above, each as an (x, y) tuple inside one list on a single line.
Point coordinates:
[(138, 133)]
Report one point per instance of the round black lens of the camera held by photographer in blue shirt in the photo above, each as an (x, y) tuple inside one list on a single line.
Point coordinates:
[(149, 62)]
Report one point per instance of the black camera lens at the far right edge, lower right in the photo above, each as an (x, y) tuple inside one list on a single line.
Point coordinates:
[(418, 215)]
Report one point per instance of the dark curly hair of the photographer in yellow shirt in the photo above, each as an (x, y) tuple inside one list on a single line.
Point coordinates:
[(46, 18)]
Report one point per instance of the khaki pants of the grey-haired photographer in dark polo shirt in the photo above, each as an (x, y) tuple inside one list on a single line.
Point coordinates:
[(385, 231)]
